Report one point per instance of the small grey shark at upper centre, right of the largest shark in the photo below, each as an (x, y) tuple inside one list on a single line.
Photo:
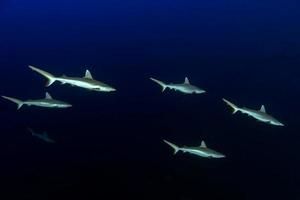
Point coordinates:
[(184, 87)]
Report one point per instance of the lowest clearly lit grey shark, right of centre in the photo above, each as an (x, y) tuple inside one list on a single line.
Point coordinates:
[(201, 150)]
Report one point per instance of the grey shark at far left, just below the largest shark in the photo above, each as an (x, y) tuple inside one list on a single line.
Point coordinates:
[(47, 102)]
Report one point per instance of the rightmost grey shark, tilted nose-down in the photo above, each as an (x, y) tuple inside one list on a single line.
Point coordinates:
[(260, 115)]
